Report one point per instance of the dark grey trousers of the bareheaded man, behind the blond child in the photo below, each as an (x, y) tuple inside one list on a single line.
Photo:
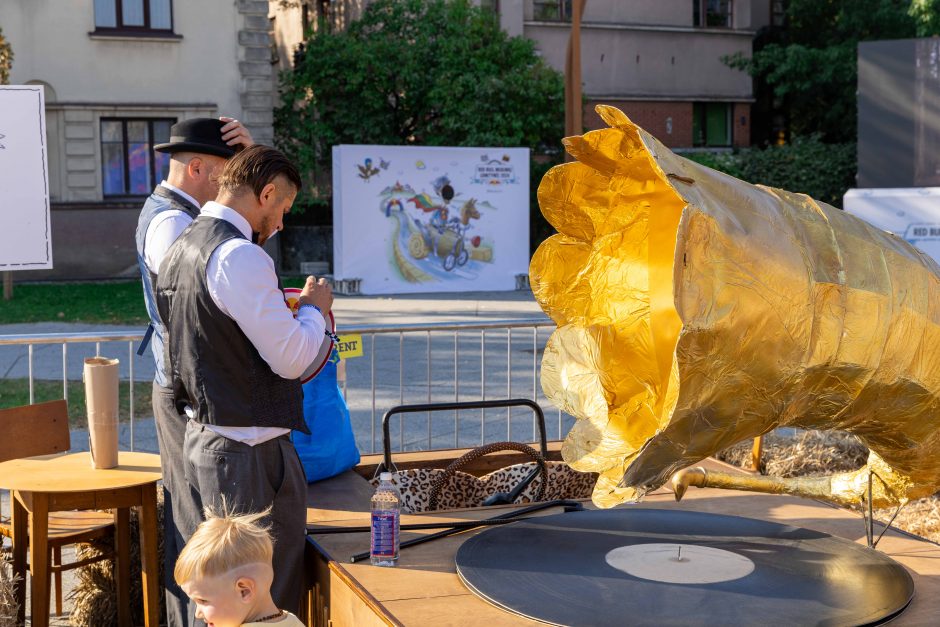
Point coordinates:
[(250, 479)]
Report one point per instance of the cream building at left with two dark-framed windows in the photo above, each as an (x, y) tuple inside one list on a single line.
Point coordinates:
[(116, 75)]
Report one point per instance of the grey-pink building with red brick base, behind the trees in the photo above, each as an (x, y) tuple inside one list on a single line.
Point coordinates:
[(660, 61)]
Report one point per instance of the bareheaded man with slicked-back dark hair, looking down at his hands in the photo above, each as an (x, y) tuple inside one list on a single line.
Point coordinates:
[(235, 354)]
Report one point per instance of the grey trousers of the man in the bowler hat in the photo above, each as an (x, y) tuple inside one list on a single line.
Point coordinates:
[(181, 506)]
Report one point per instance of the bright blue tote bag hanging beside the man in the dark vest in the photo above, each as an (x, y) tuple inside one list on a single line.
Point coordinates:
[(331, 447)]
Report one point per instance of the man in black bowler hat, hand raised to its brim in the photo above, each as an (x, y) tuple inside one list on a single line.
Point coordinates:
[(198, 149)]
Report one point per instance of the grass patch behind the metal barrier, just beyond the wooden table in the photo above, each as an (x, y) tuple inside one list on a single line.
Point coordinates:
[(15, 392)]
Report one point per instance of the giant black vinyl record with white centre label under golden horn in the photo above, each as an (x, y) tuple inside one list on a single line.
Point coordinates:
[(643, 566)]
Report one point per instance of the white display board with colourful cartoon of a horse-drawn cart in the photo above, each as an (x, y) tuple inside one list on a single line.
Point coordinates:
[(428, 219)]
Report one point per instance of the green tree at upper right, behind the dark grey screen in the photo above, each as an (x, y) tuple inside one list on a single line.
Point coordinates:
[(811, 64)]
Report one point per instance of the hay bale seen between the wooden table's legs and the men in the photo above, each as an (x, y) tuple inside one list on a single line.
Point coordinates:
[(94, 597)]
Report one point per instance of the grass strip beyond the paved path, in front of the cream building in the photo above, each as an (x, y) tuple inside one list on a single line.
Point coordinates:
[(104, 302)]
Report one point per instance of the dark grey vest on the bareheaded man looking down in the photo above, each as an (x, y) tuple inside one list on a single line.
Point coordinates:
[(212, 365)]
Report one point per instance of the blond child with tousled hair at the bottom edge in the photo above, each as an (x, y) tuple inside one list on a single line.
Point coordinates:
[(225, 568)]
